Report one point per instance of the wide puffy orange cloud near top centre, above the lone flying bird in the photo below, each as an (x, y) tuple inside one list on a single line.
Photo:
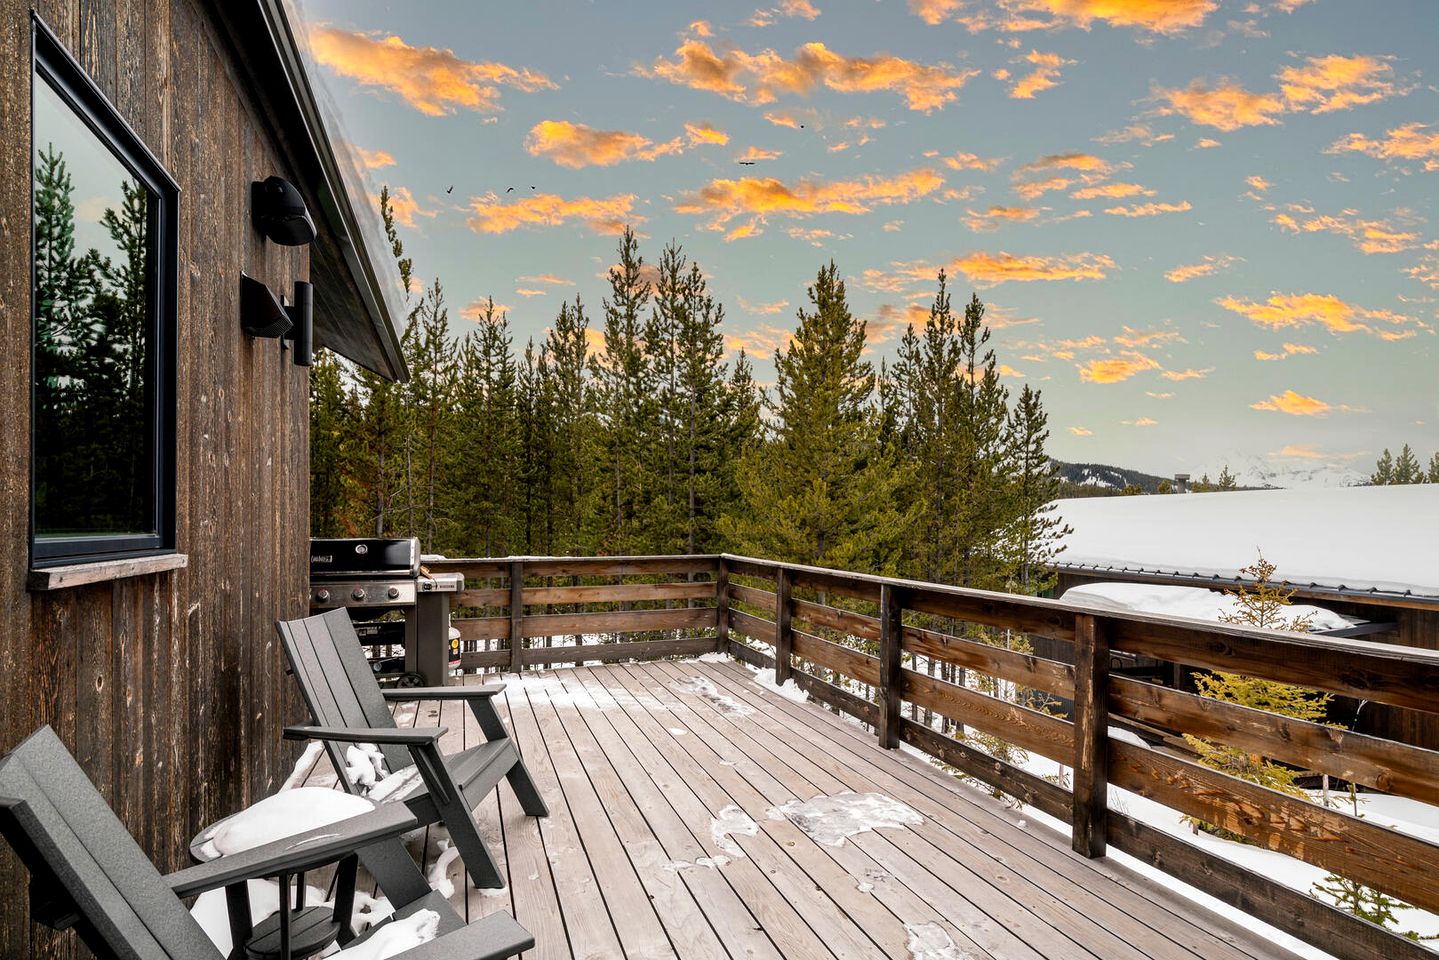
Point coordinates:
[(761, 78)]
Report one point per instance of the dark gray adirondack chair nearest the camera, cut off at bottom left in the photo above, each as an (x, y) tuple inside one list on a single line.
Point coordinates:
[(90, 874)]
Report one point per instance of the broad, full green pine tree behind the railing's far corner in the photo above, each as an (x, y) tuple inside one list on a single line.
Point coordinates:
[(822, 490)]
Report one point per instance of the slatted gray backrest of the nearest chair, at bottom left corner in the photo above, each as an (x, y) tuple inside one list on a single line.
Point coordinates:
[(80, 854)]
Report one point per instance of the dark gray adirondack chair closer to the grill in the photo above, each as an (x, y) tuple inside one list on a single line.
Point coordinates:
[(349, 707)]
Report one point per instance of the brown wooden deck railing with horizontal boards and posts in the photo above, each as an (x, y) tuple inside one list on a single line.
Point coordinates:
[(854, 643)]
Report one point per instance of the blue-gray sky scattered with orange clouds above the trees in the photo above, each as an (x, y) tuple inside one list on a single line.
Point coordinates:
[(1205, 230)]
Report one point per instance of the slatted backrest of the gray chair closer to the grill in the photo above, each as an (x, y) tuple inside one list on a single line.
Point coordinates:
[(336, 680)]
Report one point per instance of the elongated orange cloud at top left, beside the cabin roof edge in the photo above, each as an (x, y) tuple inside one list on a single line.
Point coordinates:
[(428, 78)]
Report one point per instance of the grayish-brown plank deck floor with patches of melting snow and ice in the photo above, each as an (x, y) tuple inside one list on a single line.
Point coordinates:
[(635, 765)]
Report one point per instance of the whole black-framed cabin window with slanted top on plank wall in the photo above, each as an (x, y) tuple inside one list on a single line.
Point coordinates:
[(104, 267)]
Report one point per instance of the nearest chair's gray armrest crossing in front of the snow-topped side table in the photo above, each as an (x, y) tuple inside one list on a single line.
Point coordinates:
[(296, 854)]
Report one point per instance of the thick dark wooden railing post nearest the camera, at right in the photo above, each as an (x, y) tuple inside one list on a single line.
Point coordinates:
[(1091, 730)]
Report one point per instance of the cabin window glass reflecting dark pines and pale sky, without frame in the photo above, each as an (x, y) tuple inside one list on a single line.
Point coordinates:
[(94, 335)]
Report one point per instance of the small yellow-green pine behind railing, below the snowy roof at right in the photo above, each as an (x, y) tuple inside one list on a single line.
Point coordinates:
[(1264, 605)]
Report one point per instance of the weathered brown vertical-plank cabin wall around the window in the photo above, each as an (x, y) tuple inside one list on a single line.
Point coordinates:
[(169, 689)]
